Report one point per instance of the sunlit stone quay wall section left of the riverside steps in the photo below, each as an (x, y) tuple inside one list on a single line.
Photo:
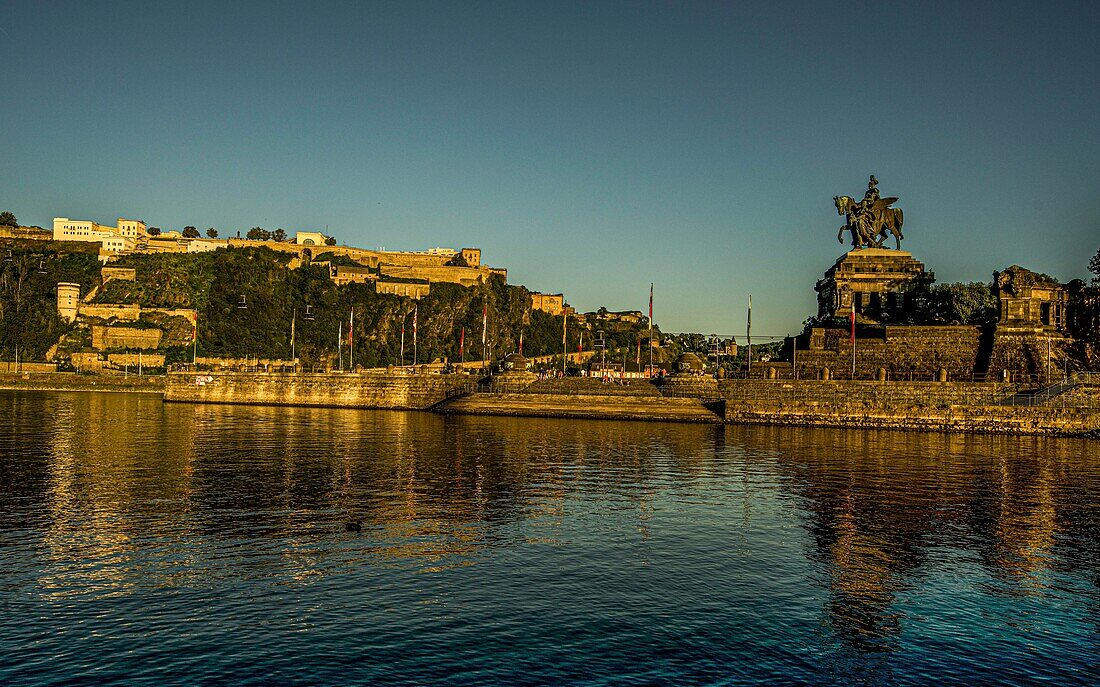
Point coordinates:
[(337, 390)]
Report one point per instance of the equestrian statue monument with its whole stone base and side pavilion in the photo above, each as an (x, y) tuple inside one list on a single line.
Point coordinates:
[(876, 301)]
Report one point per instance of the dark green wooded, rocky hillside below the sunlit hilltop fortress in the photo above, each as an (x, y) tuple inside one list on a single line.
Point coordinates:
[(217, 283)]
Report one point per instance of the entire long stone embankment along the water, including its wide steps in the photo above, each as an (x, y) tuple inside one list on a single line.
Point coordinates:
[(1072, 409)]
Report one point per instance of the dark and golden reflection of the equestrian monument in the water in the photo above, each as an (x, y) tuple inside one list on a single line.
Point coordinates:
[(881, 504)]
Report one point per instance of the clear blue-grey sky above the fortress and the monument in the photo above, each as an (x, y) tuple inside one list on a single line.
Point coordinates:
[(589, 148)]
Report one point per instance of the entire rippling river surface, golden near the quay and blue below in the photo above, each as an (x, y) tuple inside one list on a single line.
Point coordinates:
[(149, 545)]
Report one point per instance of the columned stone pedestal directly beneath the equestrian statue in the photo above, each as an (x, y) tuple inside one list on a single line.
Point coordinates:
[(873, 282)]
